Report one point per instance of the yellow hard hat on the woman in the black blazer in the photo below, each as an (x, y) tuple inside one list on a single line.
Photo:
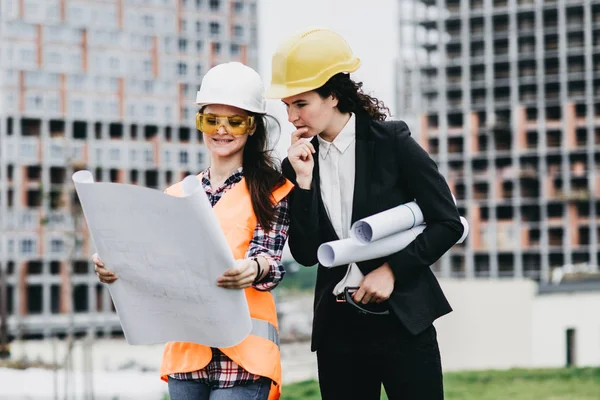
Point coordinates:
[(307, 60)]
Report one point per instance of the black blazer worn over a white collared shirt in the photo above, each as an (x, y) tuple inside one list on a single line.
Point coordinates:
[(391, 169)]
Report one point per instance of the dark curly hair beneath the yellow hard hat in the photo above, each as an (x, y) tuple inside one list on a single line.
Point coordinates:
[(351, 98)]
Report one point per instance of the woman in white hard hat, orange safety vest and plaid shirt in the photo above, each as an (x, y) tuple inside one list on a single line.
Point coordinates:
[(249, 197)]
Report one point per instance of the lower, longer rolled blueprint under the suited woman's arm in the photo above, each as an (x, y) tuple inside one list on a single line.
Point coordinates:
[(346, 251)]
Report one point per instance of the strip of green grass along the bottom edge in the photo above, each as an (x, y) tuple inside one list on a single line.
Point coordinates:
[(514, 384)]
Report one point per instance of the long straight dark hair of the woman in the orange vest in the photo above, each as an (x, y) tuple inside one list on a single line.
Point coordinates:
[(261, 173)]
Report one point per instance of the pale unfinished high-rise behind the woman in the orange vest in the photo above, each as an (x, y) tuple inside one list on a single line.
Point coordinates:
[(108, 86)]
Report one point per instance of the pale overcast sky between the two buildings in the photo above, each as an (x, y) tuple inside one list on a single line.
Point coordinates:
[(370, 27)]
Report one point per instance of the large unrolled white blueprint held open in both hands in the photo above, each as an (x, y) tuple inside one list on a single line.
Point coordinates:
[(168, 253)]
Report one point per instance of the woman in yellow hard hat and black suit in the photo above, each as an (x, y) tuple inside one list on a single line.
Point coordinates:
[(348, 163)]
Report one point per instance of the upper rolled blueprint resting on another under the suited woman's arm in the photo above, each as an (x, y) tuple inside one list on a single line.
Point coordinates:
[(388, 222)]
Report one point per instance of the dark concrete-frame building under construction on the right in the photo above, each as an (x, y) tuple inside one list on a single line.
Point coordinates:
[(510, 93)]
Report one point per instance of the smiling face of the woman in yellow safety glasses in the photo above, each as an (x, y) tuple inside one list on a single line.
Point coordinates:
[(222, 143)]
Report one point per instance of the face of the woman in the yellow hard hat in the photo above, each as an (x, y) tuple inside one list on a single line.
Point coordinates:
[(309, 110)]
